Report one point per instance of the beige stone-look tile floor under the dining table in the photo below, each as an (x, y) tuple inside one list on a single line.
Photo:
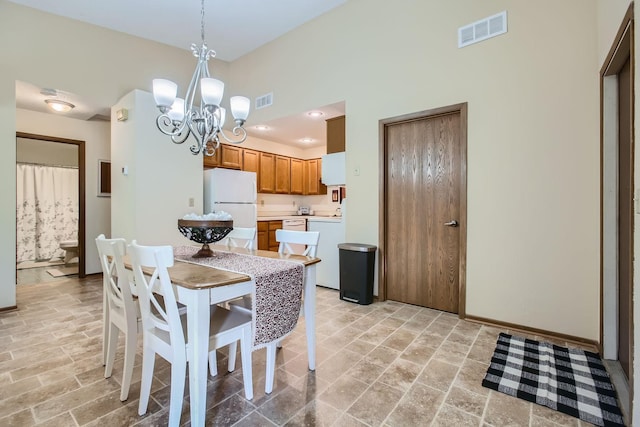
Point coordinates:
[(386, 364)]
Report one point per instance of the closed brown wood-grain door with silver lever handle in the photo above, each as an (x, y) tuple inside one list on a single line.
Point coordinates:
[(425, 221)]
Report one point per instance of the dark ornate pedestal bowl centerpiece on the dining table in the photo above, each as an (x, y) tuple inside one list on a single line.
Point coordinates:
[(205, 229)]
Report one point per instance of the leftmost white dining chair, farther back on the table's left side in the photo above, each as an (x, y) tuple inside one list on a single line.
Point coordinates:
[(121, 311)]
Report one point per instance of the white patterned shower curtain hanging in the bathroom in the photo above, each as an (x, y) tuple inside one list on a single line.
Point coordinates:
[(47, 210)]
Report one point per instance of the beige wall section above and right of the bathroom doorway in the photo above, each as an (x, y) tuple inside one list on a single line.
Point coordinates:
[(97, 146)]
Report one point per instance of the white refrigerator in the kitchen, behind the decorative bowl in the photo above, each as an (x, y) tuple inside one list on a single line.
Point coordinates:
[(234, 192)]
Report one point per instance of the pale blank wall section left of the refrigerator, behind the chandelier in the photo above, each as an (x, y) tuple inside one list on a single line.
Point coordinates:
[(162, 176)]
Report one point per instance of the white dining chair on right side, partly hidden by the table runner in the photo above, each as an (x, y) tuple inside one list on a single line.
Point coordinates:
[(285, 238)]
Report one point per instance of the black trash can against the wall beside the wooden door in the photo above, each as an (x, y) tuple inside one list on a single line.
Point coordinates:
[(357, 261)]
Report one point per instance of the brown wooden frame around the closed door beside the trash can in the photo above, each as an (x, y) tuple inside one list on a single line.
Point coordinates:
[(383, 124)]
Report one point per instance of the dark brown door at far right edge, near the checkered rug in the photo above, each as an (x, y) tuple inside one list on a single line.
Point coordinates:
[(625, 218)]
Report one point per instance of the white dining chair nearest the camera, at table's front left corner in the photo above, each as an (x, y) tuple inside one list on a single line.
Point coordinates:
[(164, 330)]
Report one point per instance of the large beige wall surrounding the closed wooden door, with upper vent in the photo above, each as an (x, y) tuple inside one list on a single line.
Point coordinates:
[(533, 144)]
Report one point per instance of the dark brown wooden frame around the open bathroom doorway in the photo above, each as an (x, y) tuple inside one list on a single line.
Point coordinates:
[(81, 191)]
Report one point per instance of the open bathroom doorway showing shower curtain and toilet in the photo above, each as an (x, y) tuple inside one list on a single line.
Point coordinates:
[(50, 214)]
